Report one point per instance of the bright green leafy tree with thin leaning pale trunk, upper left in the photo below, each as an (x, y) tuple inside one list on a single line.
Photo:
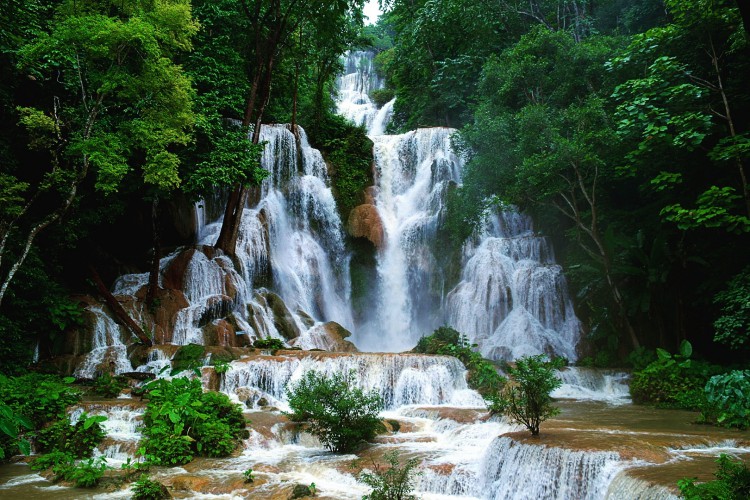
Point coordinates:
[(114, 100)]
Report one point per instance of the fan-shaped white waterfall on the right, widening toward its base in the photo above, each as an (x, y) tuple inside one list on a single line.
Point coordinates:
[(512, 299)]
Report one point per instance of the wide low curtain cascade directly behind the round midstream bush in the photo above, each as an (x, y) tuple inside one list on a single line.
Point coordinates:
[(399, 379)]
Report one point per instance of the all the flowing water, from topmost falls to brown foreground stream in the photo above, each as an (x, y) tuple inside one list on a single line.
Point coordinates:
[(292, 274)]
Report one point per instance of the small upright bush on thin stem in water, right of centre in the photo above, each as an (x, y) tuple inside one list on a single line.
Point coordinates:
[(526, 398)]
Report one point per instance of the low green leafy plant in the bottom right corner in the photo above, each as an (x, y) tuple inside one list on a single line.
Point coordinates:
[(732, 482)]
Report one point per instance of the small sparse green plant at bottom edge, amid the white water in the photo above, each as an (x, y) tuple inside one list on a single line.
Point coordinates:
[(393, 483)]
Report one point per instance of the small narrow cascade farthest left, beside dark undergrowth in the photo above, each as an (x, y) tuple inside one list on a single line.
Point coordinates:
[(108, 351)]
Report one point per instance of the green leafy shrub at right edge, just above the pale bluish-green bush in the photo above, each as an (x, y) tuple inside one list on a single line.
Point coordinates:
[(733, 326)]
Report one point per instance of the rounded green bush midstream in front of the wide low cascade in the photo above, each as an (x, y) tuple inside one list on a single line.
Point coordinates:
[(340, 414)]
